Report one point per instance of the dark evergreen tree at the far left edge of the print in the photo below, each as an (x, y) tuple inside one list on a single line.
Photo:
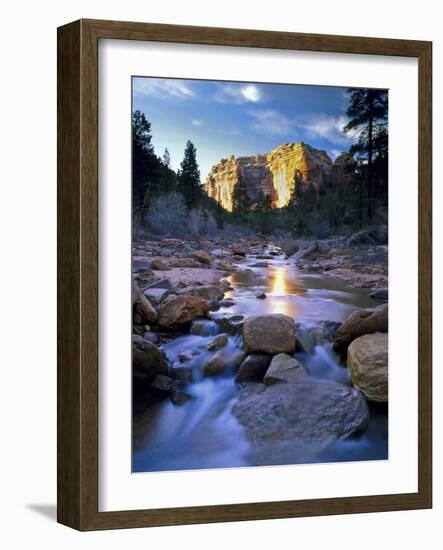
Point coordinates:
[(145, 165)]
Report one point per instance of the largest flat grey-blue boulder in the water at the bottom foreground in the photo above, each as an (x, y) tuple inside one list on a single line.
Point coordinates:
[(308, 411)]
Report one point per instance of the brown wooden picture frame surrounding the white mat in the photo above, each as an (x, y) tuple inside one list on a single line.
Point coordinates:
[(78, 274)]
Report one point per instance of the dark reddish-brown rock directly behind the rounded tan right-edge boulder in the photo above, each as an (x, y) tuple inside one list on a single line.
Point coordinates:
[(362, 321)]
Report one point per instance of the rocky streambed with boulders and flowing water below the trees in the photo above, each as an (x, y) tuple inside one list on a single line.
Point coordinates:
[(242, 356)]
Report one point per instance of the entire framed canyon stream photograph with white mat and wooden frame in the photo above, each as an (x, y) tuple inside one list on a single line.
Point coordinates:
[(240, 213)]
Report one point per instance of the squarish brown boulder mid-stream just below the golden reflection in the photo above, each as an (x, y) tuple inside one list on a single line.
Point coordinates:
[(274, 333)]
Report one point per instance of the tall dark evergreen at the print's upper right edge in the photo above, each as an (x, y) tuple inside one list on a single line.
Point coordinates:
[(368, 113)]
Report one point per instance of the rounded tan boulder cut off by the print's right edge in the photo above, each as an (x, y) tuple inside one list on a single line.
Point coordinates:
[(368, 364)]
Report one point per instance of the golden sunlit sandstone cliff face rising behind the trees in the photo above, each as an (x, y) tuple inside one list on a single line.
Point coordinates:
[(275, 174)]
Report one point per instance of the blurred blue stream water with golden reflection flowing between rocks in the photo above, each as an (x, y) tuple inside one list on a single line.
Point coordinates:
[(202, 433)]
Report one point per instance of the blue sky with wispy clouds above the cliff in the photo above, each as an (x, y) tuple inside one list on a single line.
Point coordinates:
[(239, 118)]
